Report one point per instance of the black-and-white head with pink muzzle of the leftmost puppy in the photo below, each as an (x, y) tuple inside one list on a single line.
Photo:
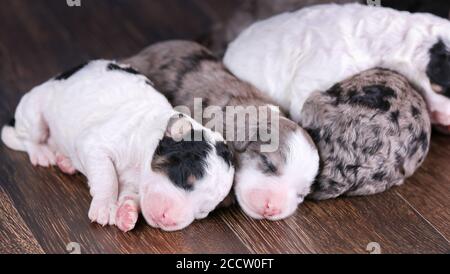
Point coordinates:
[(192, 174)]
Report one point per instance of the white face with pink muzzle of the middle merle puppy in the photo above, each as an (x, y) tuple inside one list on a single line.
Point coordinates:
[(270, 185)]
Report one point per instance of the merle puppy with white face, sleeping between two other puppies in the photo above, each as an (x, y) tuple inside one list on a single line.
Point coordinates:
[(268, 184)]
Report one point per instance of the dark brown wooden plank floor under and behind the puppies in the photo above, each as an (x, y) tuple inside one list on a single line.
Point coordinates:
[(42, 210)]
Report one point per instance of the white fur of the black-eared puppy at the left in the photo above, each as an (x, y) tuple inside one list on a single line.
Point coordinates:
[(109, 123)]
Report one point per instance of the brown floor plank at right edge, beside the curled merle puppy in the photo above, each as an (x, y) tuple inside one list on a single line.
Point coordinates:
[(428, 191)]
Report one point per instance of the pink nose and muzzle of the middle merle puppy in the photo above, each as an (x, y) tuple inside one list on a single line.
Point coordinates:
[(267, 202)]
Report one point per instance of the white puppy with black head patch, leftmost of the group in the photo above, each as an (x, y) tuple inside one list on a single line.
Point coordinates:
[(108, 122)]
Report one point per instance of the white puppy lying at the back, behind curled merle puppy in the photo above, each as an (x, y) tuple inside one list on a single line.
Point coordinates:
[(291, 55)]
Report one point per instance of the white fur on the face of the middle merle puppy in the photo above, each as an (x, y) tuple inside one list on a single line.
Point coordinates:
[(286, 191)]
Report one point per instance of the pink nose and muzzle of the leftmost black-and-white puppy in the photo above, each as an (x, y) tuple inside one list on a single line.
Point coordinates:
[(162, 210)]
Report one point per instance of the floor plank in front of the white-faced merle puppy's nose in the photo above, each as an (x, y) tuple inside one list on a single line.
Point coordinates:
[(345, 225)]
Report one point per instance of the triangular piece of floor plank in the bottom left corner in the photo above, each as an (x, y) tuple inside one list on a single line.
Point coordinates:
[(15, 236)]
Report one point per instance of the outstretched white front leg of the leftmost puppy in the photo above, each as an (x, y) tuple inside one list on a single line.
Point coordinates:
[(103, 183)]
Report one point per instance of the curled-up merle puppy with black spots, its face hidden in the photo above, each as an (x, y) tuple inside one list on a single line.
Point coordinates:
[(372, 132)]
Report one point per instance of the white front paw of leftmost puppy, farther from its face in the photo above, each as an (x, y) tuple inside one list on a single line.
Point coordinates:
[(102, 211)]
